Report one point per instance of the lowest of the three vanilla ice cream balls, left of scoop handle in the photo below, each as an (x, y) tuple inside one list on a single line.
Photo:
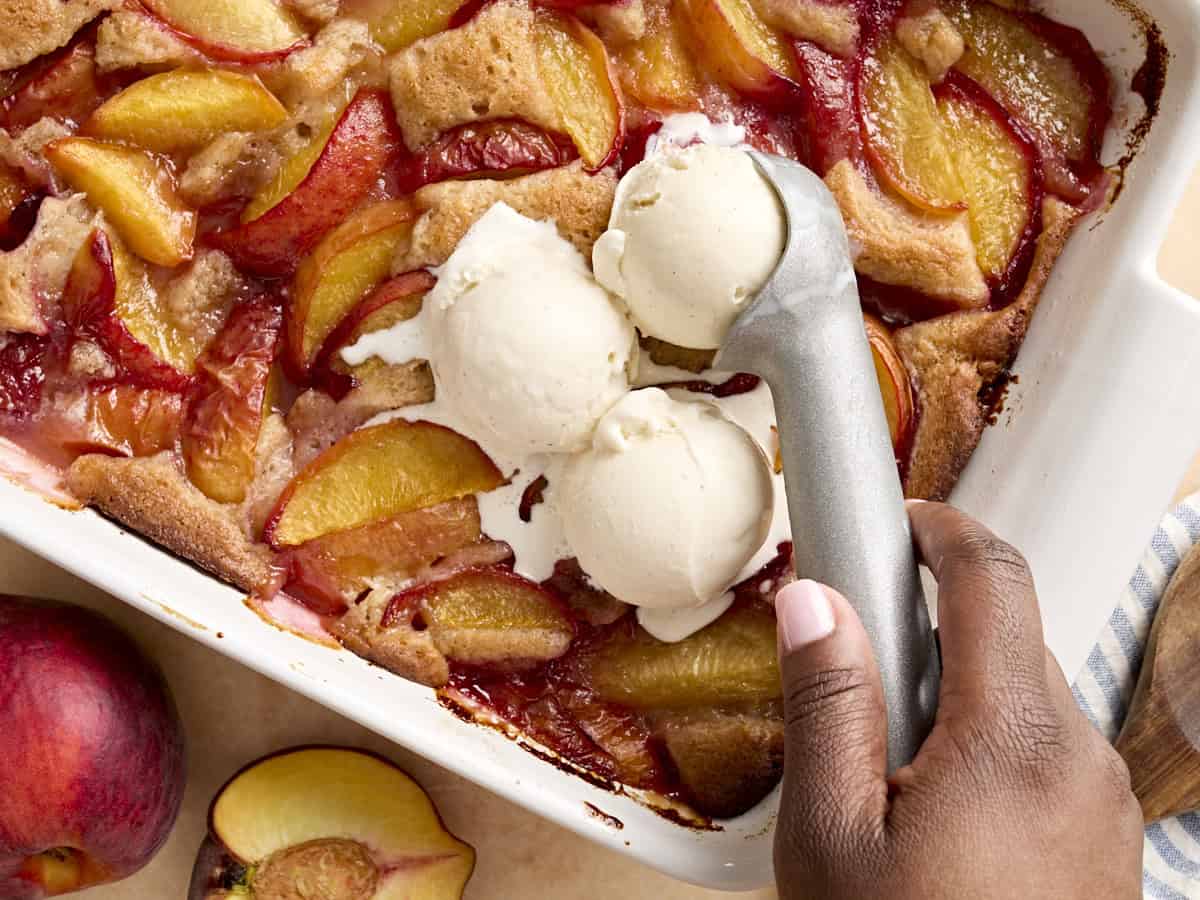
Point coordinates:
[(669, 505)]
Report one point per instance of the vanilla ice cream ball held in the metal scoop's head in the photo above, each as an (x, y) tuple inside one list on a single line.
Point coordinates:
[(694, 235)]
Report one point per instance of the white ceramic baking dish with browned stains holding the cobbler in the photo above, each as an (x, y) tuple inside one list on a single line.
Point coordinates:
[(1094, 441)]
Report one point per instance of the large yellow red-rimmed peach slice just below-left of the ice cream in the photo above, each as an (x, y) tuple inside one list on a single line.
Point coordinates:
[(376, 473)]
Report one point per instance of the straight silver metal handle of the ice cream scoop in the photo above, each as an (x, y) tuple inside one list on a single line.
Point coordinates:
[(849, 521)]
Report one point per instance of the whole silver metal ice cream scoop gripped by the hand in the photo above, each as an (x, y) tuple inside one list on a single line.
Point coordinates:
[(805, 335)]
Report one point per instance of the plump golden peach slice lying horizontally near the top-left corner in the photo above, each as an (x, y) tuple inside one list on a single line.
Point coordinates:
[(183, 111)]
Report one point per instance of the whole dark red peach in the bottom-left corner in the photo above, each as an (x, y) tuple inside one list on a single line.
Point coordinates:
[(92, 752)]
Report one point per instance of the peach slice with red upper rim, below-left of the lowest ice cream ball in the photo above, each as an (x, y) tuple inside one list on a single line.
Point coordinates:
[(488, 617)]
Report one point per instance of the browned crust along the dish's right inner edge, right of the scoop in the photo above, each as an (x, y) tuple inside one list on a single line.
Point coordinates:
[(955, 357)]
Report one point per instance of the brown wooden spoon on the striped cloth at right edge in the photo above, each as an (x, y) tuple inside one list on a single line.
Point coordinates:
[(1161, 740)]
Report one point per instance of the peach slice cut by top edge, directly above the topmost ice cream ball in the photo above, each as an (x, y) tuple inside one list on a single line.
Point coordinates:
[(745, 51)]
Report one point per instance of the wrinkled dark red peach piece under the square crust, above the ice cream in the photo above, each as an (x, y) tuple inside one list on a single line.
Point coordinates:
[(488, 149)]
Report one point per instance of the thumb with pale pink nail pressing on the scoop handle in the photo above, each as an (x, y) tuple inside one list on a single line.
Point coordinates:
[(836, 746)]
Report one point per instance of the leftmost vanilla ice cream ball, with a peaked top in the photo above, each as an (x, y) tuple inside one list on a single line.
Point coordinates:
[(529, 350)]
